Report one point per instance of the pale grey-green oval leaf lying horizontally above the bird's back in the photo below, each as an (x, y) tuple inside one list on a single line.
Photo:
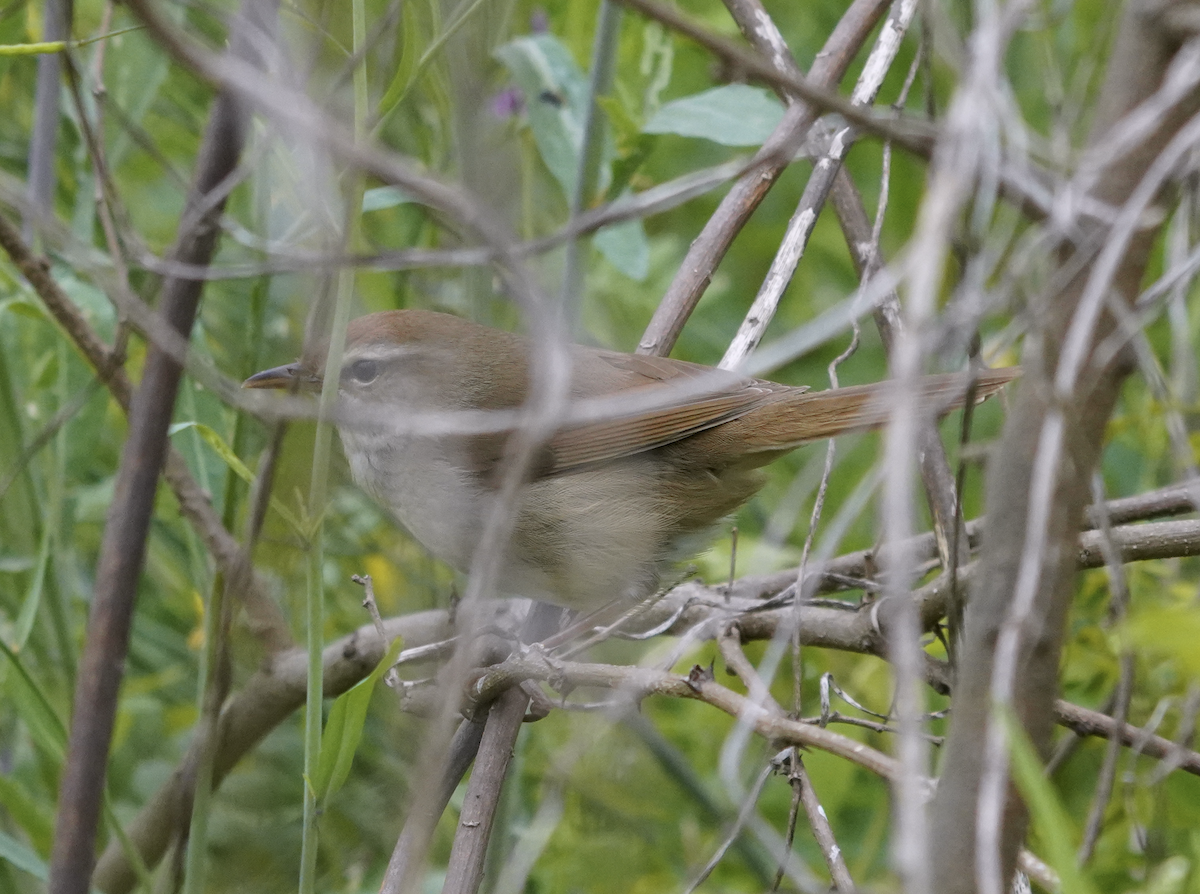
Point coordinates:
[(734, 116)]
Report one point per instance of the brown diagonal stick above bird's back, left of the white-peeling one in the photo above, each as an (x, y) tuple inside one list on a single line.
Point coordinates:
[(709, 249)]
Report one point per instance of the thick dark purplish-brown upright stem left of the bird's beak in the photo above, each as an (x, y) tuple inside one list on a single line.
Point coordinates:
[(123, 549)]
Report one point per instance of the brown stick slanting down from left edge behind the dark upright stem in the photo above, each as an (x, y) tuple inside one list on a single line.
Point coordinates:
[(267, 620)]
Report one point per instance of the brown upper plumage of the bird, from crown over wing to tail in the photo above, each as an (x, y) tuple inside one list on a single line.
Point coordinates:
[(626, 405)]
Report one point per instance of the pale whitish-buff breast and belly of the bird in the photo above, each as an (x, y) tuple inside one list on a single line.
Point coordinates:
[(581, 539)]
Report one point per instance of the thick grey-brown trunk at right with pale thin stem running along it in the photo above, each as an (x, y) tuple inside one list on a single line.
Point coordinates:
[(1039, 483)]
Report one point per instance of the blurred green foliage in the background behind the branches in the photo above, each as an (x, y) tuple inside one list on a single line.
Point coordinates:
[(446, 100)]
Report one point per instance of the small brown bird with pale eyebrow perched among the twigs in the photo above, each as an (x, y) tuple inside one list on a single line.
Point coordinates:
[(650, 458)]
